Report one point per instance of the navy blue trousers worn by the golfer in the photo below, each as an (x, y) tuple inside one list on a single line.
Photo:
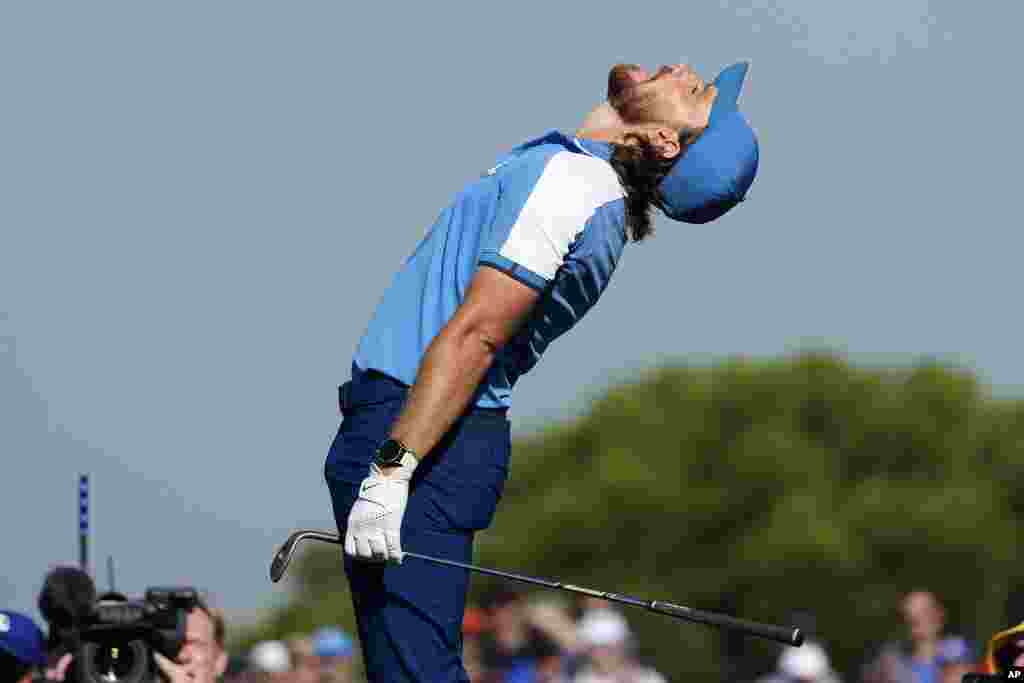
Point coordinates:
[(410, 616)]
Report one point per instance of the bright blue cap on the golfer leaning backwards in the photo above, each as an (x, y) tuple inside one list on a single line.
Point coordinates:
[(715, 173)]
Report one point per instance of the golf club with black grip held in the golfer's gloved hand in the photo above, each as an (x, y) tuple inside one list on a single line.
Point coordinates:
[(786, 635)]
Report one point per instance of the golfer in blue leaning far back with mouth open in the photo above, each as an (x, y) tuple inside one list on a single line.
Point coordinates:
[(515, 262)]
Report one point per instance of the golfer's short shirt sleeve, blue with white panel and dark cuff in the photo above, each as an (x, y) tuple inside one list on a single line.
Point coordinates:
[(542, 211)]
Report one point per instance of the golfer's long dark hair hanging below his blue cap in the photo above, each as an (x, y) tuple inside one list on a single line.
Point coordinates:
[(641, 172)]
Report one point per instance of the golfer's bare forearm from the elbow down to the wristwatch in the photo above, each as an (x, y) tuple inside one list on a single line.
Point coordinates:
[(450, 374)]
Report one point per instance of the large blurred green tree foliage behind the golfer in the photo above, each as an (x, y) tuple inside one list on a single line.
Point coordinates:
[(759, 487)]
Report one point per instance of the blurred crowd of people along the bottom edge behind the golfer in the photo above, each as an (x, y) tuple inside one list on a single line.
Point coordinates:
[(517, 637)]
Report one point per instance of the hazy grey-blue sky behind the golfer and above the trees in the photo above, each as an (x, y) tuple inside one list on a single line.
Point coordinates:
[(201, 204)]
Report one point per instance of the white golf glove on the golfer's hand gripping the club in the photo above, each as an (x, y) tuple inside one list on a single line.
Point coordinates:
[(375, 521)]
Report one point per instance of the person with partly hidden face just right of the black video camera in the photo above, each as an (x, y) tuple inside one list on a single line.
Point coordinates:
[(203, 659)]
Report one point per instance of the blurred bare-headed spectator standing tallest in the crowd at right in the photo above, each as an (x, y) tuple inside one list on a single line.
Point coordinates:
[(917, 659)]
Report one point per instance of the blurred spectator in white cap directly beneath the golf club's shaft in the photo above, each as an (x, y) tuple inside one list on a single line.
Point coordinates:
[(607, 644)]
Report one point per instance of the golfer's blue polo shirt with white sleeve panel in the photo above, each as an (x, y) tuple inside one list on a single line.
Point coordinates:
[(551, 215)]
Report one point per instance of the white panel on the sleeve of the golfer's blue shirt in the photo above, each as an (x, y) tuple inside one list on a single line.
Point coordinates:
[(569, 192)]
